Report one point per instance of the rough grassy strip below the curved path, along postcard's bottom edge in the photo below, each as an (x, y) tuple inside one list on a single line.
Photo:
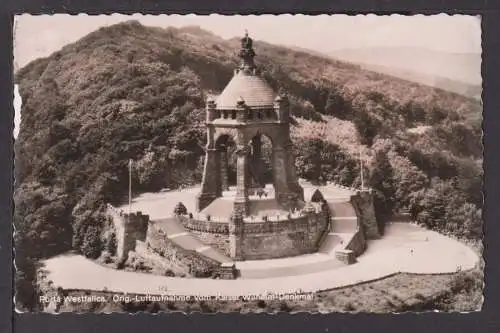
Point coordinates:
[(403, 292)]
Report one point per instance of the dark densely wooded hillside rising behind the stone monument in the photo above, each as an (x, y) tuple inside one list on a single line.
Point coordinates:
[(134, 92)]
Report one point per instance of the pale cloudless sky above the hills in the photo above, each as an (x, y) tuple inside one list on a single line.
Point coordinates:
[(38, 36)]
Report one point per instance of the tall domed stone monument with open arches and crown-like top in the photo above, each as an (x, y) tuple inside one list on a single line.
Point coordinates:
[(246, 110)]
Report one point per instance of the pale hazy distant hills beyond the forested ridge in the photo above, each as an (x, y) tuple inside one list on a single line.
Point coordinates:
[(455, 72)]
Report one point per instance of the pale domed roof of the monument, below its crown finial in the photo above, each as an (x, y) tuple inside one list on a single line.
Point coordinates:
[(253, 89)]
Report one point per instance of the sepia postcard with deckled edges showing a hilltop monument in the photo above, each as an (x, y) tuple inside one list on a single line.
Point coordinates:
[(248, 164)]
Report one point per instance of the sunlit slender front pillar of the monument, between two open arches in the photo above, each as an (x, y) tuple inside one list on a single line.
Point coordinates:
[(242, 181)]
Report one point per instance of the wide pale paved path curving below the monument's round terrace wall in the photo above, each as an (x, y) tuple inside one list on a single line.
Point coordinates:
[(404, 248)]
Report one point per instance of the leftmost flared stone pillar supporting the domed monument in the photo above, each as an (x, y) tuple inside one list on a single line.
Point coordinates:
[(210, 184)]
